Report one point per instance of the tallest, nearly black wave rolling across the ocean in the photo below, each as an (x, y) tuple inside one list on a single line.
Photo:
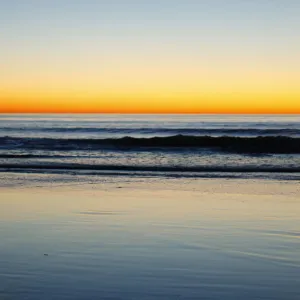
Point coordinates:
[(260, 144)]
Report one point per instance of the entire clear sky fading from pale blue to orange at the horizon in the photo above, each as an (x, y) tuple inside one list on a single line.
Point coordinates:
[(158, 56)]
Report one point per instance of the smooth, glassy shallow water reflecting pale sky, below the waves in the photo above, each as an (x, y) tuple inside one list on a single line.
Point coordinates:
[(148, 238)]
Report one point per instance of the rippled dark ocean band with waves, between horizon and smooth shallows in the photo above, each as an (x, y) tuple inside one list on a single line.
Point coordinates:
[(161, 145)]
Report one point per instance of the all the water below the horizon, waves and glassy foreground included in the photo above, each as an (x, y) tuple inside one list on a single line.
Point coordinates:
[(149, 207)]
